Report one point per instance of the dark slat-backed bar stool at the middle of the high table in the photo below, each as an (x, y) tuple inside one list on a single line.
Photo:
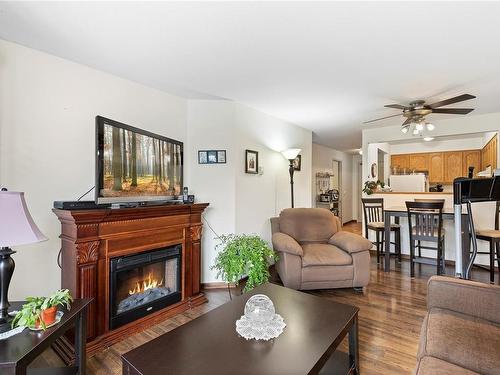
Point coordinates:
[(425, 223)]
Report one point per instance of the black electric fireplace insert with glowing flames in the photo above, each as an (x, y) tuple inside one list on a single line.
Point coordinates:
[(144, 283)]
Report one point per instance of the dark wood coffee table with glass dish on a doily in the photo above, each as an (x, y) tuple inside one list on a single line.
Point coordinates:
[(210, 344)]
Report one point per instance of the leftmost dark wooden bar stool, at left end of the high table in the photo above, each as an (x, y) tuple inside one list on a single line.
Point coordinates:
[(374, 220)]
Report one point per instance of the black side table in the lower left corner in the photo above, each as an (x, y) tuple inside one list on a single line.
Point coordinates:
[(18, 351)]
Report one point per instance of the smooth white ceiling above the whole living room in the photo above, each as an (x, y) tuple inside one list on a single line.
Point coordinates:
[(325, 66)]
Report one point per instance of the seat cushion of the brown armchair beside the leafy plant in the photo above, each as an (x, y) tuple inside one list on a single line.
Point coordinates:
[(319, 254)]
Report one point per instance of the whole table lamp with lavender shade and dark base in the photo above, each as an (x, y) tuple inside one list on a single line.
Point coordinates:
[(16, 228)]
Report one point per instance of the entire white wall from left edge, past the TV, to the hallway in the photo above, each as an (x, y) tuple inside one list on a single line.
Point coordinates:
[(47, 111)]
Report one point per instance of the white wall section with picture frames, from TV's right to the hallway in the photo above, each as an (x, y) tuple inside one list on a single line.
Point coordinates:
[(241, 202)]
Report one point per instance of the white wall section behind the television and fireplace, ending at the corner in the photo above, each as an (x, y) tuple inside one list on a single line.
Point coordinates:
[(48, 106)]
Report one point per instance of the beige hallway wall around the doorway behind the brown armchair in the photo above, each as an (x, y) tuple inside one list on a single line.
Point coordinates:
[(322, 161)]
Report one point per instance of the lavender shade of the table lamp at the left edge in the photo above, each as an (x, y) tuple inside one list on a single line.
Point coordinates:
[(16, 224)]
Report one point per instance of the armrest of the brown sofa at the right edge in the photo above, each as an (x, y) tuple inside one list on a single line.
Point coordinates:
[(464, 296)]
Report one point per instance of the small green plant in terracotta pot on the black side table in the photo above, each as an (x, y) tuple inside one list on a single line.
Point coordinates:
[(40, 312)]
